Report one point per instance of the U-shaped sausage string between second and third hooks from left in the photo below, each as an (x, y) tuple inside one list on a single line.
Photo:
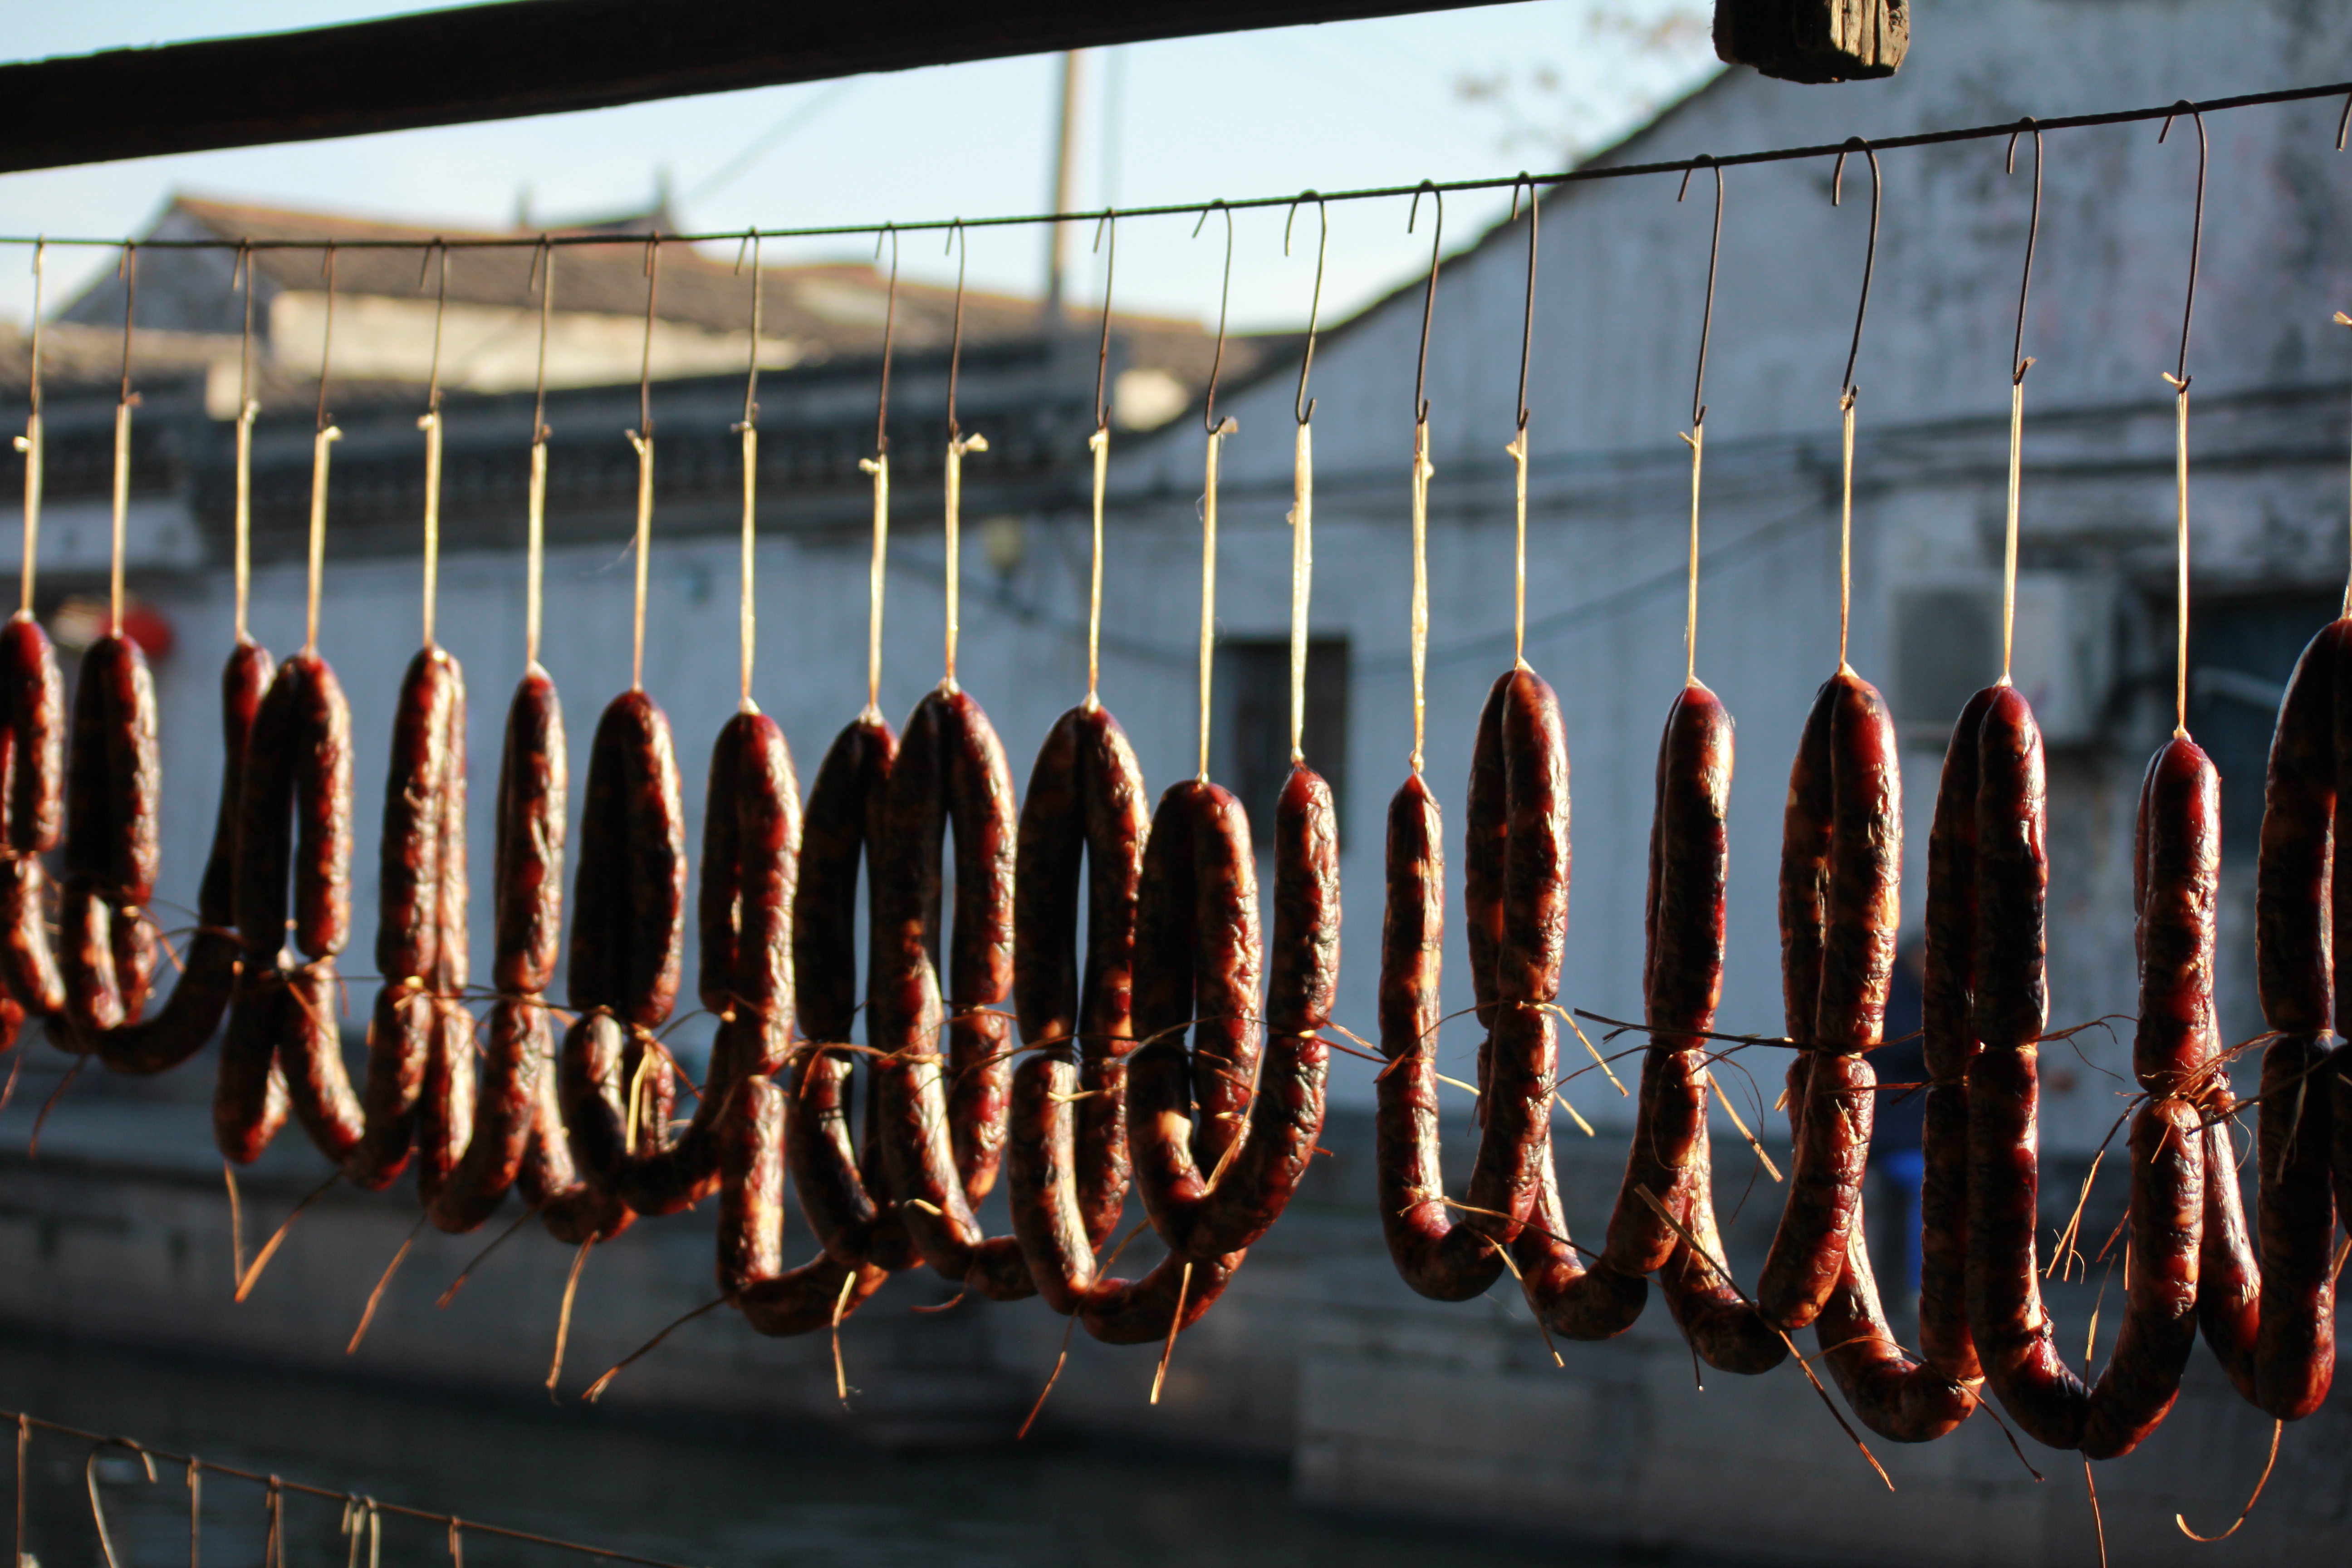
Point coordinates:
[(109, 934)]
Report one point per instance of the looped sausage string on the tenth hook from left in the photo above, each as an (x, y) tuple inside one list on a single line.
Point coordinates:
[(944, 1111)]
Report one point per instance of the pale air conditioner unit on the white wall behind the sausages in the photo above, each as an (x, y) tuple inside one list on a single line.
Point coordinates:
[(1949, 645)]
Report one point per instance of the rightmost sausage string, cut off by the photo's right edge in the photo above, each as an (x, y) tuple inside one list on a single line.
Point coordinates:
[(2273, 1320)]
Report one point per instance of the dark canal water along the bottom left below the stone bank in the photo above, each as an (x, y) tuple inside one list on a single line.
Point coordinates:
[(704, 1496)]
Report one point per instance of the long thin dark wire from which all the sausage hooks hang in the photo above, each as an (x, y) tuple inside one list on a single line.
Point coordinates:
[(1502, 182)]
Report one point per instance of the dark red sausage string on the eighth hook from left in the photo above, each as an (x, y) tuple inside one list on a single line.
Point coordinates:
[(751, 862)]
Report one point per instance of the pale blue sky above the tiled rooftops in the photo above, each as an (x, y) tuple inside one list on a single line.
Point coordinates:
[(1250, 114)]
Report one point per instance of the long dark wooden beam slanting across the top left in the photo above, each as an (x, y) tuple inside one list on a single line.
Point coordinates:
[(542, 58)]
